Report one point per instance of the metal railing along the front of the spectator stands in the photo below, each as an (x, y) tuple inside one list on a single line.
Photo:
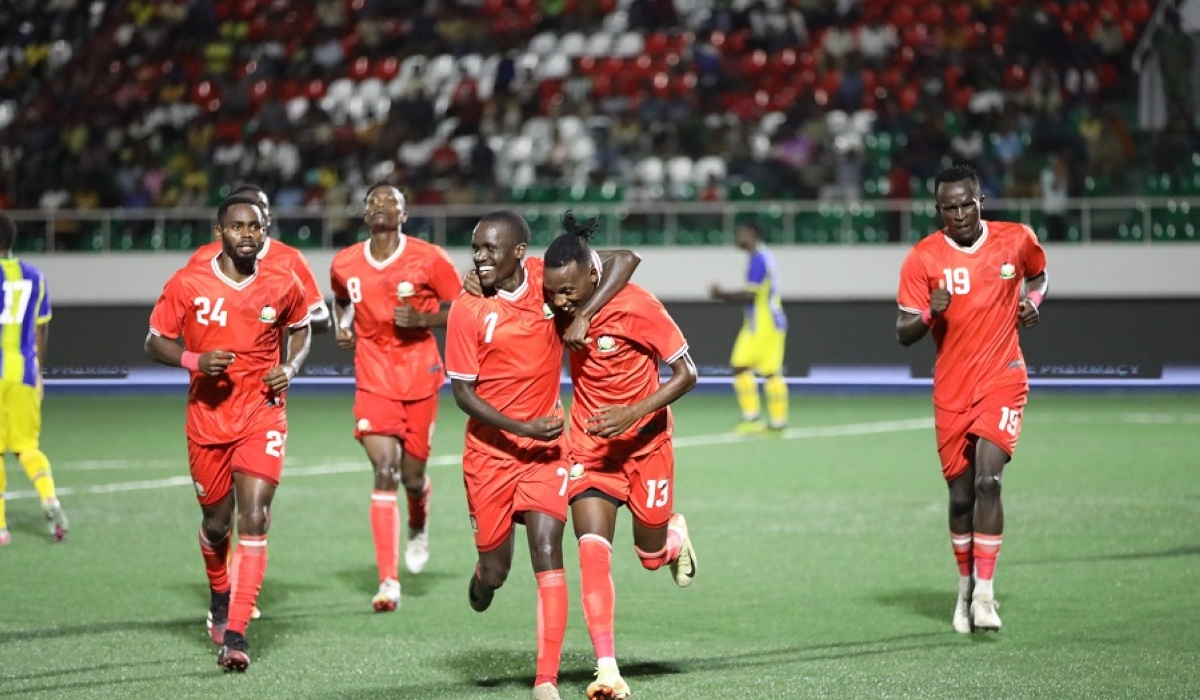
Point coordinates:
[(1136, 220)]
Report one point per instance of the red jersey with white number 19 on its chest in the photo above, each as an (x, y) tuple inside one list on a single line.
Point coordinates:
[(977, 338)]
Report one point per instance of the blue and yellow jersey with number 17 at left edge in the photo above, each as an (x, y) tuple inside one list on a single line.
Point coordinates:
[(27, 306)]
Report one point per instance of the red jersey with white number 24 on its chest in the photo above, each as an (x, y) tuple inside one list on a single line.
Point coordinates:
[(249, 319)]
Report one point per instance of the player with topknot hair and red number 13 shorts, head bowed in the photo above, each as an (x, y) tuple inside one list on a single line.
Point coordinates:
[(620, 436)]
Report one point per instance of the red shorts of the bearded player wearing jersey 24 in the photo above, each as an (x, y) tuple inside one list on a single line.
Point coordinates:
[(213, 466)]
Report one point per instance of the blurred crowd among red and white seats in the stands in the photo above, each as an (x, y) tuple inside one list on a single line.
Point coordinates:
[(160, 104)]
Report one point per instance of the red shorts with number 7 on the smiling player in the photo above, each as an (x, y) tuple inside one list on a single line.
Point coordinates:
[(500, 490)]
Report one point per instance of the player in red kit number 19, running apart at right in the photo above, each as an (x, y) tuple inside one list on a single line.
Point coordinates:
[(965, 285)]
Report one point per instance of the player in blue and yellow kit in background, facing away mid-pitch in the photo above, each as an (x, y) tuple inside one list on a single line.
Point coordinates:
[(759, 349)]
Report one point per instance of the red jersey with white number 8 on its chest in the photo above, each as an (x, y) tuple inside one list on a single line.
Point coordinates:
[(400, 364)]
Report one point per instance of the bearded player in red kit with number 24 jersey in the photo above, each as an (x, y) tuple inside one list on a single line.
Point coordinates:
[(233, 316)]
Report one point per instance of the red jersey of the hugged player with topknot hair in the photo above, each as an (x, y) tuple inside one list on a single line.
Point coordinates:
[(621, 367)]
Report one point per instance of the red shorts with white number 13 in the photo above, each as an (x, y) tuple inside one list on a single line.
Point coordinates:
[(644, 483)]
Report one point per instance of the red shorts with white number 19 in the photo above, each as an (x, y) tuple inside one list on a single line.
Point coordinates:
[(995, 418)]
